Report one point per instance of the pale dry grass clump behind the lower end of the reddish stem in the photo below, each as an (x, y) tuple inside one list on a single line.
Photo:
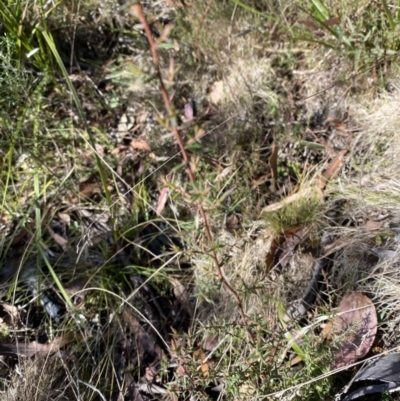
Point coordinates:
[(263, 293)]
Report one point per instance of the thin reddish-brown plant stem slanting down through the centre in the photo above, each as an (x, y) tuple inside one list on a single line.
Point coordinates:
[(137, 10)]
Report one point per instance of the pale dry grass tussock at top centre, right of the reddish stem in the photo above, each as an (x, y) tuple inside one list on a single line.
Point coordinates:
[(235, 69)]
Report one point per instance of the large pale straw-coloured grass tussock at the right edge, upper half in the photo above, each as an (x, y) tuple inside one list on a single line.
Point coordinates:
[(376, 189)]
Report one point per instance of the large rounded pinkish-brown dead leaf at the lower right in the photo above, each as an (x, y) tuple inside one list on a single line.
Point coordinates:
[(354, 329)]
